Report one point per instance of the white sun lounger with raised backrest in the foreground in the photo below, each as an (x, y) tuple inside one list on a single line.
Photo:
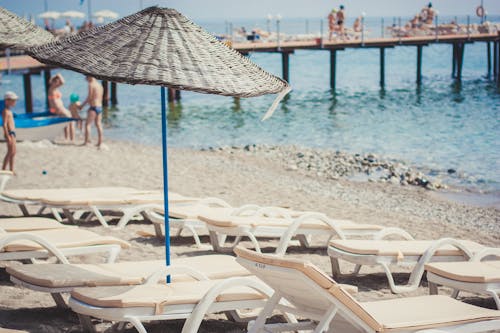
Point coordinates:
[(311, 294)]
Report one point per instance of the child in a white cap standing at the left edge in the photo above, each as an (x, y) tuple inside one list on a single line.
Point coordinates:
[(9, 130)]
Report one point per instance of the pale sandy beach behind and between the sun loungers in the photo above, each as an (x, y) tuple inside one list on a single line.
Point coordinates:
[(239, 177)]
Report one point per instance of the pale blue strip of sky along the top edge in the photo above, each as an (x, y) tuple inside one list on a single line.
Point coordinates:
[(238, 9)]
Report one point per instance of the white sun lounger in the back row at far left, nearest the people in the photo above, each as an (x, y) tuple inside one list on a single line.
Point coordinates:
[(128, 201)]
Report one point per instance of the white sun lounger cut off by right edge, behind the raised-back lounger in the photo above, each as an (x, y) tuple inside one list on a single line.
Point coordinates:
[(476, 276)]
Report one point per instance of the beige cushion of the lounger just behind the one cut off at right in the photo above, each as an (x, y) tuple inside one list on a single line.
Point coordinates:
[(399, 248)]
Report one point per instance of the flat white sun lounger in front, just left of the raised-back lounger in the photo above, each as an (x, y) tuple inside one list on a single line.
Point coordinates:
[(179, 300)]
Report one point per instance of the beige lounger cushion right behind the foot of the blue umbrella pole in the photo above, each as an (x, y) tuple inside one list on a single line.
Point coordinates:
[(123, 273)]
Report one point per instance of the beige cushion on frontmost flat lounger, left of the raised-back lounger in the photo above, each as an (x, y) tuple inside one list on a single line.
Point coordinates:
[(158, 295)]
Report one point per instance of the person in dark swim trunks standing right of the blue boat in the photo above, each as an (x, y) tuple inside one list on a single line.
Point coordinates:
[(94, 113)]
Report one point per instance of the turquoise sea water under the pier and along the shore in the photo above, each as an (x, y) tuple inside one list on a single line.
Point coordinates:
[(439, 126)]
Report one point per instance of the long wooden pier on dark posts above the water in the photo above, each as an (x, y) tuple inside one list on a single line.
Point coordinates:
[(28, 66)]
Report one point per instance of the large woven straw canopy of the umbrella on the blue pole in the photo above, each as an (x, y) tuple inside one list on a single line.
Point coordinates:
[(160, 46)]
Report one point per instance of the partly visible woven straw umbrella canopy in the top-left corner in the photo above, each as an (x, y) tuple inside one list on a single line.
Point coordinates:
[(16, 32)]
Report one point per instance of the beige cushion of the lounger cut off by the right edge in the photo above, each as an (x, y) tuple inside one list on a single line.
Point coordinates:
[(467, 271)]
